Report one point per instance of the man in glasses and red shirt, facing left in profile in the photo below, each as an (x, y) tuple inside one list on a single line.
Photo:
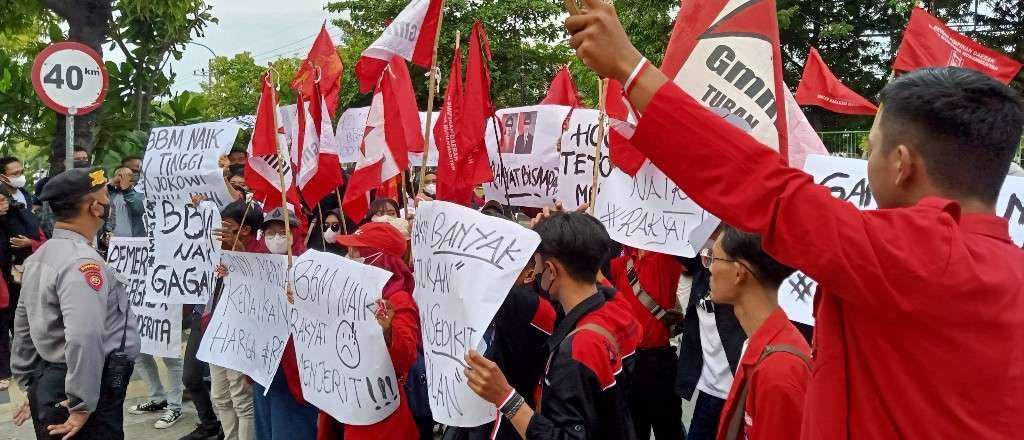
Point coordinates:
[(766, 401)]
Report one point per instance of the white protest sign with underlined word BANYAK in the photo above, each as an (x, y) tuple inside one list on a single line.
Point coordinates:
[(465, 263)]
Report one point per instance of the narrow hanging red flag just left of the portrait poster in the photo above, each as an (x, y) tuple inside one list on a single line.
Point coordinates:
[(478, 109)]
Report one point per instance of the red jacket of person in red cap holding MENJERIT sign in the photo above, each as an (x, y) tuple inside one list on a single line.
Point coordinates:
[(404, 349)]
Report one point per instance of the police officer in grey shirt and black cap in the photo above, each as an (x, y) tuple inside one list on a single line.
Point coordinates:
[(75, 338)]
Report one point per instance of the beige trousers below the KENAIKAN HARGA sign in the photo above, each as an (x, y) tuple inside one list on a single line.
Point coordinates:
[(233, 398)]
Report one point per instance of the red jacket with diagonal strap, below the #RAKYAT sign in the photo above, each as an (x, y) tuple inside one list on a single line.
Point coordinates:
[(659, 276)]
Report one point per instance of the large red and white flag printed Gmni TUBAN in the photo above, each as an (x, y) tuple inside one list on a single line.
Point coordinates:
[(727, 56)]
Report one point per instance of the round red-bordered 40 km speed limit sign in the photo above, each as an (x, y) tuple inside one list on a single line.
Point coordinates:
[(70, 78)]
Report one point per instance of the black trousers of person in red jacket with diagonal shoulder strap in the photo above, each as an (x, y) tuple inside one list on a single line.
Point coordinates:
[(654, 403)]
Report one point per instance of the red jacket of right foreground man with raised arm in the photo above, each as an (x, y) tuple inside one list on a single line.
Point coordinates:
[(921, 312)]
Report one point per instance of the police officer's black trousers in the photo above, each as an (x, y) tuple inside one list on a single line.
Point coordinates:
[(47, 393)]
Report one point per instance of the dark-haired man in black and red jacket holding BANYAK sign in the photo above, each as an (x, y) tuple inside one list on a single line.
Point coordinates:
[(580, 398)]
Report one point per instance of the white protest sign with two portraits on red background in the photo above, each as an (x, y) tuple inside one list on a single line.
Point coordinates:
[(524, 158)]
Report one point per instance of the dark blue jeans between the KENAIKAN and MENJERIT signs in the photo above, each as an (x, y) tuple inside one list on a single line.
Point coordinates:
[(279, 417)]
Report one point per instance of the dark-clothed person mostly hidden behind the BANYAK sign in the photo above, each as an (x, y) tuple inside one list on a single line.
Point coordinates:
[(516, 343)]
